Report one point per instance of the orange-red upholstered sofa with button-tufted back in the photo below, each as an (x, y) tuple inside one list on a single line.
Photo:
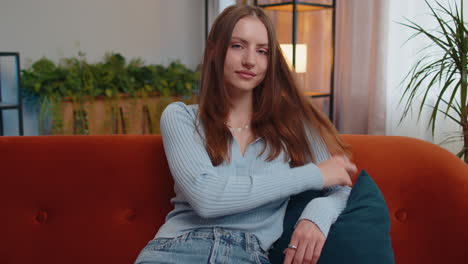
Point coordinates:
[(100, 199)]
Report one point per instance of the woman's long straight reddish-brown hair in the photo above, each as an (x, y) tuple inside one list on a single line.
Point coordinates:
[(282, 116)]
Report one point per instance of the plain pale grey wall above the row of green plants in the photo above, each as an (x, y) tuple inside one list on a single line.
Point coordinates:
[(158, 31)]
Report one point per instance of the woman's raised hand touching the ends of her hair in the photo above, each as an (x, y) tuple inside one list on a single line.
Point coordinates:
[(337, 171)]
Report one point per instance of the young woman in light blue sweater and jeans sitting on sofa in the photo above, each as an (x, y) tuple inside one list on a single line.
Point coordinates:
[(251, 142)]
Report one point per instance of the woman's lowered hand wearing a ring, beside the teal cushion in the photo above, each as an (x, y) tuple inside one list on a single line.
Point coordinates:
[(309, 241)]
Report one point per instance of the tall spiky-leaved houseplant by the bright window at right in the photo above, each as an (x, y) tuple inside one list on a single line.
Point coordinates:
[(442, 72)]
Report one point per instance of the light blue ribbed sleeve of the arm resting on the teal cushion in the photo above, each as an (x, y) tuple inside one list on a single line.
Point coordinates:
[(324, 211)]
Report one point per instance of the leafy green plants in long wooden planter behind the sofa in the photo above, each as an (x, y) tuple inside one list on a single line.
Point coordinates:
[(77, 89)]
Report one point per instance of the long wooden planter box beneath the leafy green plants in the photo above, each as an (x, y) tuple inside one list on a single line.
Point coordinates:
[(124, 115)]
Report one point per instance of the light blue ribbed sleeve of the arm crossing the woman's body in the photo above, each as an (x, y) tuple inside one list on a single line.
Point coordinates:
[(211, 194)]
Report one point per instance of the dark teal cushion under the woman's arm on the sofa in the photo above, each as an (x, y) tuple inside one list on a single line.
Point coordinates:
[(360, 234)]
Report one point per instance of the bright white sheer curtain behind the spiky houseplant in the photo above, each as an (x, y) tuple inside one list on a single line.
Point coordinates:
[(400, 59)]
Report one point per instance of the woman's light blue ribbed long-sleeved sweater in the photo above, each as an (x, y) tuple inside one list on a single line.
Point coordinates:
[(247, 193)]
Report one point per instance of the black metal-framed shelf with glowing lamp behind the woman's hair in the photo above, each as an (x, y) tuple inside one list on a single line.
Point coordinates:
[(305, 31)]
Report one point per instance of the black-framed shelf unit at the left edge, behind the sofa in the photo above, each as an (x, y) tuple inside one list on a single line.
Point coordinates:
[(10, 88)]
